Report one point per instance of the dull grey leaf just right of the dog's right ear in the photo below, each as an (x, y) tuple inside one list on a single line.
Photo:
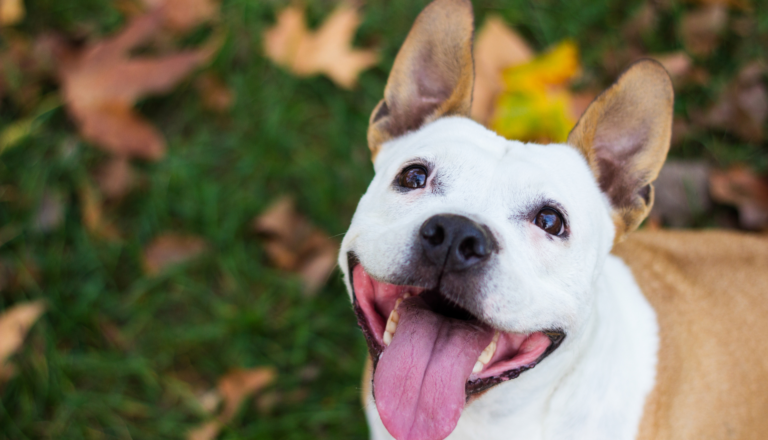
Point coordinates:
[(682, 193)]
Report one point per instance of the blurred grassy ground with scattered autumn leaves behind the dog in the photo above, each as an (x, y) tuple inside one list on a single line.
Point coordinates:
[(176, 176)]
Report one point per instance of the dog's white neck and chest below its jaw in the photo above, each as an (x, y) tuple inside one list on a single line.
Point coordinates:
[(593, 387)]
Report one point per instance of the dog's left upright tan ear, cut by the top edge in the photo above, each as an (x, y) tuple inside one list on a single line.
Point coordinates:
[(432, 75)]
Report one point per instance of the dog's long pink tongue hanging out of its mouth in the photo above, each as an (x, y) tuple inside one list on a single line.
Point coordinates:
[(420, 378)]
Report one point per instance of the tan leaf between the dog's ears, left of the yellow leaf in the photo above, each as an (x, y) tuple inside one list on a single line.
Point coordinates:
[(496, 47)]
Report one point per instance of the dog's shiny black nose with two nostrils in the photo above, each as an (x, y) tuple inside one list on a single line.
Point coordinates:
[(455, 241)]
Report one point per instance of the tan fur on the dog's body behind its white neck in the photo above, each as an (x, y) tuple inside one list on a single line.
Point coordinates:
[(710, 292)]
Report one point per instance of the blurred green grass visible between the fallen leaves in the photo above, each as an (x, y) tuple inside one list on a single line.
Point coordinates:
[(230, 309)]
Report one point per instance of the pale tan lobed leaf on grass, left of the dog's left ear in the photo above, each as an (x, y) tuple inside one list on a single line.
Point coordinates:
[(328, 50)]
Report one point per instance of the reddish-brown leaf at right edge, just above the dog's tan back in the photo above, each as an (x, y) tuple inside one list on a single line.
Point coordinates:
[(740, 187)]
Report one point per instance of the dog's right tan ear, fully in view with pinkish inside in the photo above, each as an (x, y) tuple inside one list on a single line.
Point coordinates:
[(625, 134)]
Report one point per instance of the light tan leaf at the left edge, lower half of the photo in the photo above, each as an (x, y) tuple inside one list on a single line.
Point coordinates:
[(14, 325)]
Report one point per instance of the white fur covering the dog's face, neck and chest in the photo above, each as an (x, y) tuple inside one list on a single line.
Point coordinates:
[(594, 386)]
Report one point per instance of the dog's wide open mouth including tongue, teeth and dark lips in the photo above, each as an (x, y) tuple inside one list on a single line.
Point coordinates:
[(430, 355)]
